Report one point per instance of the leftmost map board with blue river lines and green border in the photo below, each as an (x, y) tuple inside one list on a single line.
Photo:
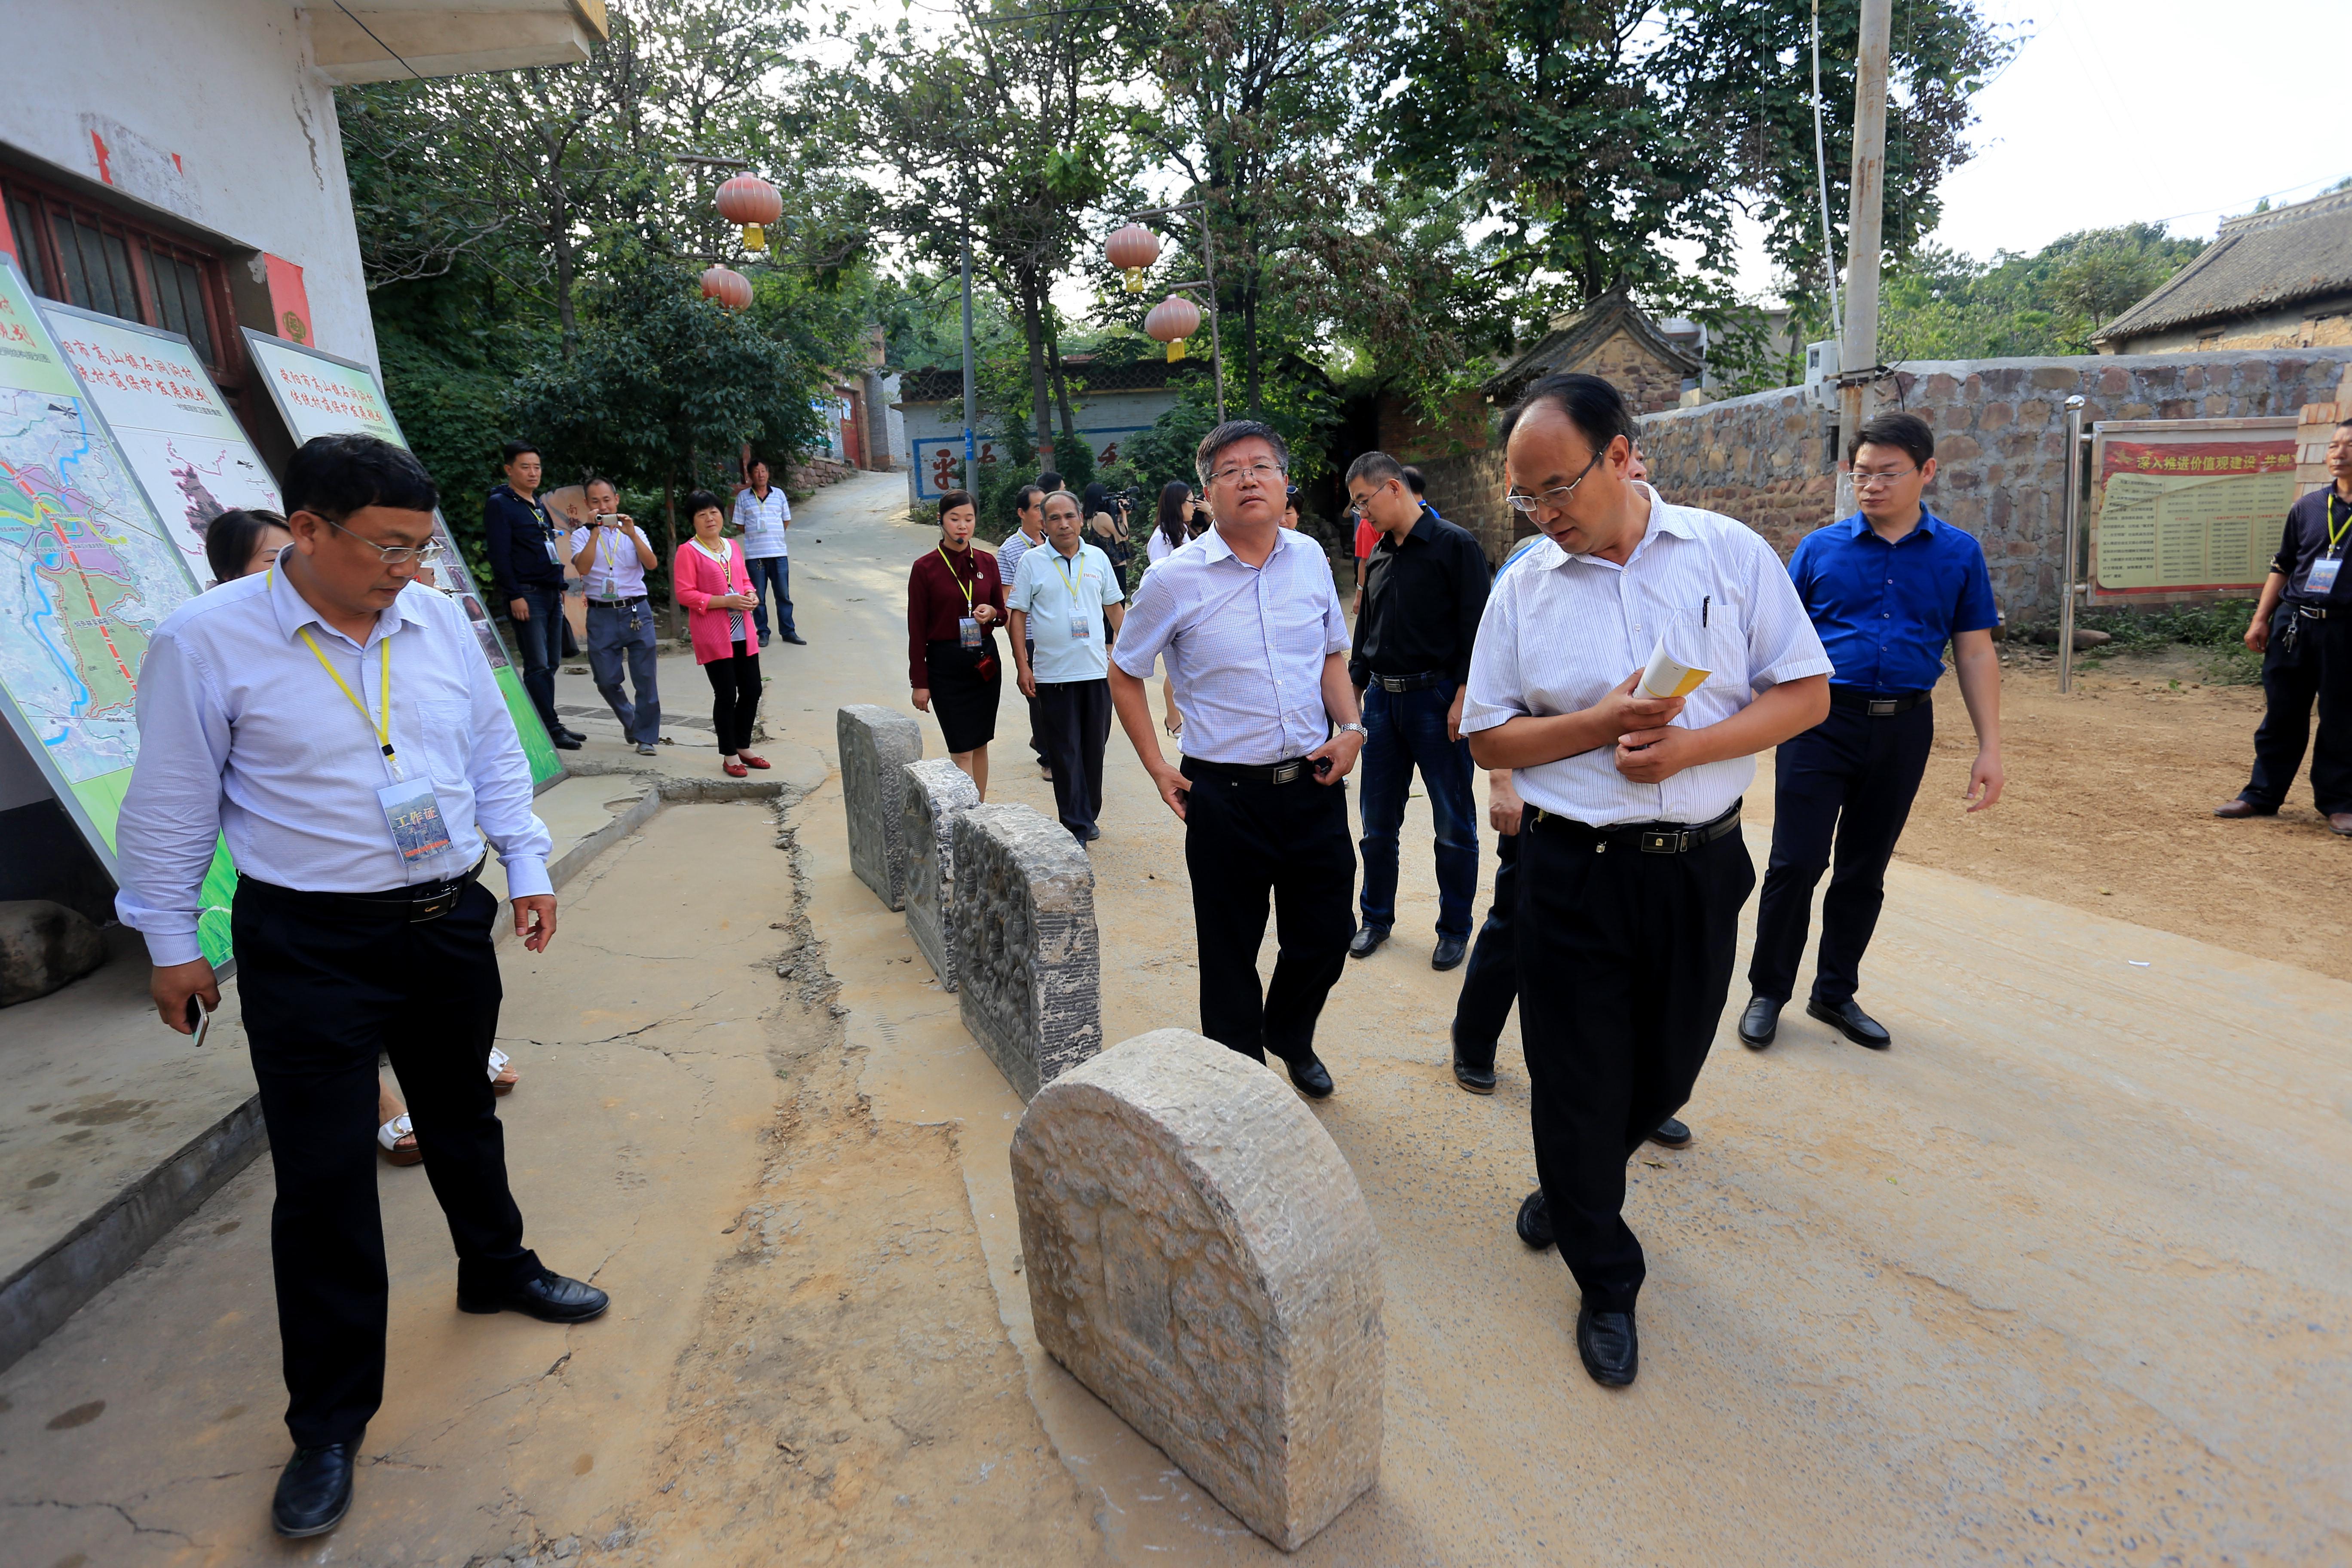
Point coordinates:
[(88, 572)]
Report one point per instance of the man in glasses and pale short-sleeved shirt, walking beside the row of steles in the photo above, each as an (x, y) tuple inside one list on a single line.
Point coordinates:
[(1255, 641)]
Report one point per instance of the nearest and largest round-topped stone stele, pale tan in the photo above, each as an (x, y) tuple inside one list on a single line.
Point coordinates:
[(1201, 1257)]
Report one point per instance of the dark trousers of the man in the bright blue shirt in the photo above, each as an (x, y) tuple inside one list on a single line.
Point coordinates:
[(1843, 789)]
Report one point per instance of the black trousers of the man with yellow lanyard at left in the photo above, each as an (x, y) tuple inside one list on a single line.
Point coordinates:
[(328, 991)]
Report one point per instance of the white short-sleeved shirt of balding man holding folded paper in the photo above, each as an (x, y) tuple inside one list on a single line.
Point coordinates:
[(1563, 631)]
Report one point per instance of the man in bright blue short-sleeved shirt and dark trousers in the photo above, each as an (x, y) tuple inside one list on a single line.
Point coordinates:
[(1887, 589)]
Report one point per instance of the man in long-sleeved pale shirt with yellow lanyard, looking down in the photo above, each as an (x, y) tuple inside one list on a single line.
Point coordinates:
[(340, 725)]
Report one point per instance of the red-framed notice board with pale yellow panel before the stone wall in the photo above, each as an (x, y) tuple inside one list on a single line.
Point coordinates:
[(2189, 509)]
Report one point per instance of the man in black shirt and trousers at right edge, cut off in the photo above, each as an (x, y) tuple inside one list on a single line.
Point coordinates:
[(2304, 634)]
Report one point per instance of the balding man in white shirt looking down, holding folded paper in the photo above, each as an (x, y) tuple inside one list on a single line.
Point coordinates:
[(1631, 862)]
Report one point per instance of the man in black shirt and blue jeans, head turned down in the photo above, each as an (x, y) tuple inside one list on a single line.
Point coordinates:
[(1424, 594)]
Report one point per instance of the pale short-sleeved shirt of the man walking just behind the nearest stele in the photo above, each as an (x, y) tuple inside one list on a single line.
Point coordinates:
[(1245, 645)]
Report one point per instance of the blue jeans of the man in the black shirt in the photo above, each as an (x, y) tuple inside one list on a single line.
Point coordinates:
[(1408, 730)]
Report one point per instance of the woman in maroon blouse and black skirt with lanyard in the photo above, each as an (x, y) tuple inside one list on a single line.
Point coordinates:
[(954, 610)]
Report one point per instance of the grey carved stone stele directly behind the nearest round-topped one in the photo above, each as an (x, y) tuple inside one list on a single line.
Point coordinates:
[(1027, 958)]
